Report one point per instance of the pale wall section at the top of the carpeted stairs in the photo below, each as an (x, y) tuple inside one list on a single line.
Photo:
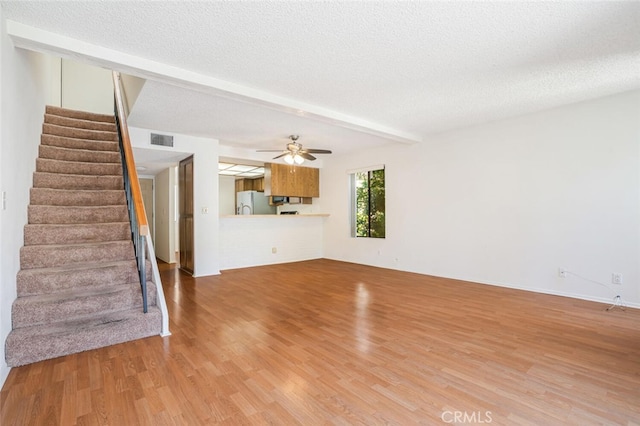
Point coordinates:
[(86, 87)]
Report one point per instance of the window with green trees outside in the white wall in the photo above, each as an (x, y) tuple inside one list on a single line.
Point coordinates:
[(368, 205)]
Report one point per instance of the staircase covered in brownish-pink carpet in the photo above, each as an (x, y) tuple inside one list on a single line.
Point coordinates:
[(78, 287)]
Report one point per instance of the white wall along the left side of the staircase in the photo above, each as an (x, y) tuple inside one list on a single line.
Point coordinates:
[(25, 88)]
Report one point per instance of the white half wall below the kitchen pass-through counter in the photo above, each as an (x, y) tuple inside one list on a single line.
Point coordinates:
[(249, 240)]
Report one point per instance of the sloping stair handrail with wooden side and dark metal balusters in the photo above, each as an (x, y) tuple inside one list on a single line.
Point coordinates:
[(135, 205)]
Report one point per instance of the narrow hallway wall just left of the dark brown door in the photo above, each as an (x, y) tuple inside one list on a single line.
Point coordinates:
[(164, 220)]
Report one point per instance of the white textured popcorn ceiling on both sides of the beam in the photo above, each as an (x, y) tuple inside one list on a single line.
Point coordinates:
[(415, 67)]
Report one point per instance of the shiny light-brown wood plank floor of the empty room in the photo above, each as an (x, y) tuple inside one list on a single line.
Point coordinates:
[(324, 342)]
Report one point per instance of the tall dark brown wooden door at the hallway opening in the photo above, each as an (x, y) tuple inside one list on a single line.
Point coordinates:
[(185, 187)]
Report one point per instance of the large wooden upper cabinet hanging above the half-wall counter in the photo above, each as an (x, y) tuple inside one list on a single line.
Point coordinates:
[(291, 181)]
